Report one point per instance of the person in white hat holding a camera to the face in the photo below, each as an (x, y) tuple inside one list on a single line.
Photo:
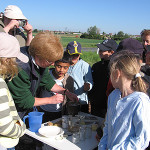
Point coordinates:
[(10, 22)]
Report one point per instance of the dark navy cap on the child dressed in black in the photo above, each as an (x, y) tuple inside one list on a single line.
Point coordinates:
[(107, 45)]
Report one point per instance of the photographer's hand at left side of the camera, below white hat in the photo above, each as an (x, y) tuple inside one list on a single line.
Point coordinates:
[(13, 23)]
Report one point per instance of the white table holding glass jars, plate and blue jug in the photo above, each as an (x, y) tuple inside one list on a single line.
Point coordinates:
[(66, 144)]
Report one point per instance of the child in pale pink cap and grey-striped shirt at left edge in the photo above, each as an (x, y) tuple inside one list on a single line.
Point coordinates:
[(11, 126)]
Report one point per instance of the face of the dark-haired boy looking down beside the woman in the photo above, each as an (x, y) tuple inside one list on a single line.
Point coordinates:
[(61, 69)]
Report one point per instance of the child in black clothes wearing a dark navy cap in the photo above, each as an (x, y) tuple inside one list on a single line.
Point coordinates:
[(100, 74)]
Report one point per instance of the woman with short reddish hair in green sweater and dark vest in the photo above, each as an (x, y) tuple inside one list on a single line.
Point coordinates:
[(44, 50)]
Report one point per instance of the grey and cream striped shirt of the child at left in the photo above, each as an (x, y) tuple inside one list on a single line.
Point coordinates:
[(9, 130)]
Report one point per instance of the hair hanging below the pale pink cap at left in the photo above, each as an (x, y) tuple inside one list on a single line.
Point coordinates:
[(8, 67)]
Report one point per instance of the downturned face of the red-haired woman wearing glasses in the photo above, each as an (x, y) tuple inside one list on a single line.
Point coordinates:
[(42, 63)]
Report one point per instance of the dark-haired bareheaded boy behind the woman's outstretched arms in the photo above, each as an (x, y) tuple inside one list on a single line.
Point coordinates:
[(61, 77)]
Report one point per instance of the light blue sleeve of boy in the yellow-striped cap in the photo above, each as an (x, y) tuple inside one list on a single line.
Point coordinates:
[(88, 75)]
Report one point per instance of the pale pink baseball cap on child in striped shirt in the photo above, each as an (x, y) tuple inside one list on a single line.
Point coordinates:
[(9, 47)]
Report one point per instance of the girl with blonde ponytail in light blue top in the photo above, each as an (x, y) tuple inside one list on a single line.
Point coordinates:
[(127, 121)]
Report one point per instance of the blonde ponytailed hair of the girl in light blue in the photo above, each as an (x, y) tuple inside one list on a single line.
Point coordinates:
[(128, 63)]
